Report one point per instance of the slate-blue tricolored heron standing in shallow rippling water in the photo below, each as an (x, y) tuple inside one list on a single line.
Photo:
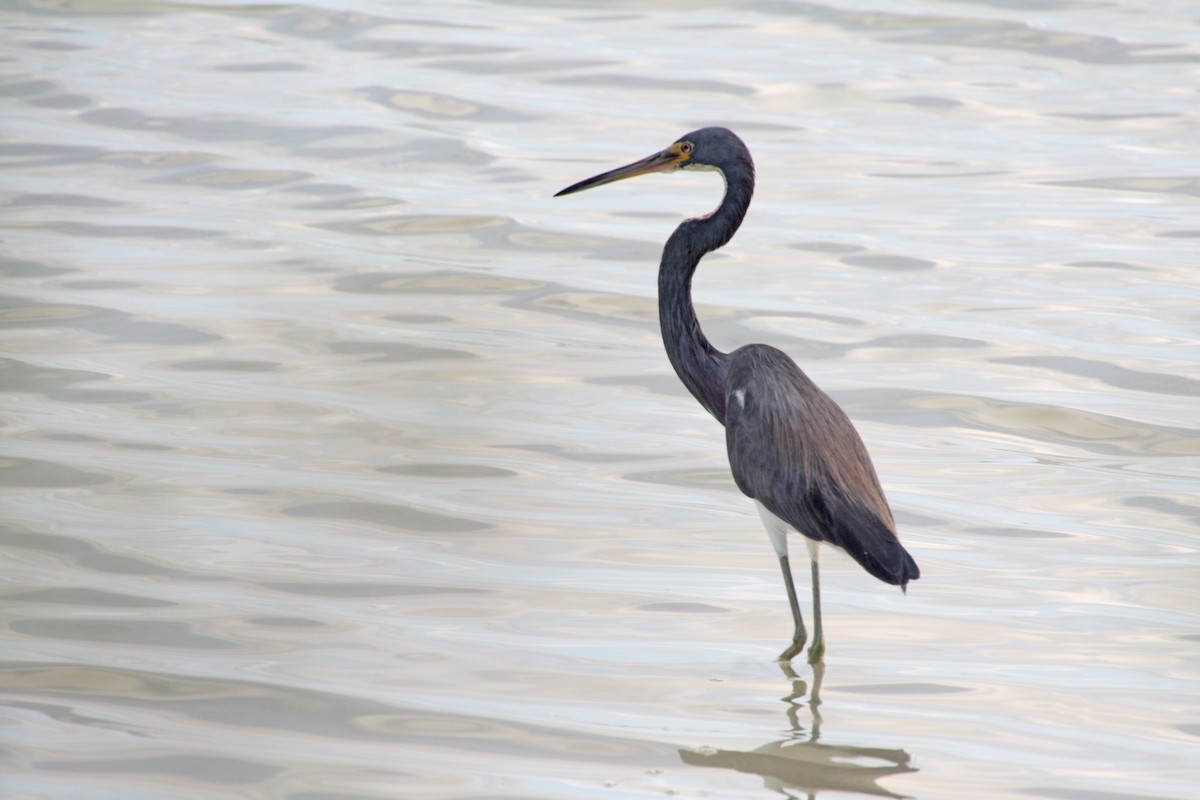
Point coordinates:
[(791, 447)]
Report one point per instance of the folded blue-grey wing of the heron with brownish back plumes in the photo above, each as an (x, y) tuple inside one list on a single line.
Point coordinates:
[(796, 452)]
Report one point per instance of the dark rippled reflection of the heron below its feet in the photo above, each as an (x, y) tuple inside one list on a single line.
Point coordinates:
[(801, 762)]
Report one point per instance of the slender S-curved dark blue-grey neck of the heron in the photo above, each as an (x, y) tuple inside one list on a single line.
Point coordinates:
[(700, 366)]
